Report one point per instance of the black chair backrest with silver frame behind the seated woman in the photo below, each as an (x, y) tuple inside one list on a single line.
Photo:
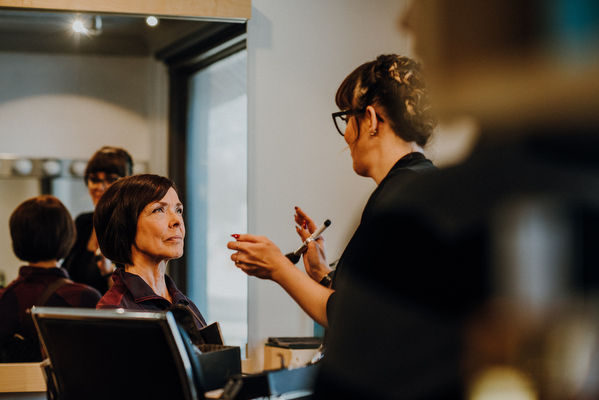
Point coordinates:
[(116, 354)]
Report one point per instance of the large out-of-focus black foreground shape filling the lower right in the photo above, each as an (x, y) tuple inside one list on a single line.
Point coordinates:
[(495, 280)]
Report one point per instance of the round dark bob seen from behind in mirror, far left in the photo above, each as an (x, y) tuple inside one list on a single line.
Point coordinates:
[(41, 229)]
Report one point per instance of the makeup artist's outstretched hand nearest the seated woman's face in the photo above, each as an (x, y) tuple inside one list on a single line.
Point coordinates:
[(258, 256)]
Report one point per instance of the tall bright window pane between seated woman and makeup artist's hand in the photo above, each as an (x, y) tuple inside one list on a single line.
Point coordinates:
[(216, 186)]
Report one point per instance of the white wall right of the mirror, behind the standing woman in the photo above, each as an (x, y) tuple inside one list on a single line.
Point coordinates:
[(299, 52)]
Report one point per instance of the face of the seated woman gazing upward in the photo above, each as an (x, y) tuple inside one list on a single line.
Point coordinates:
[(160, 230)]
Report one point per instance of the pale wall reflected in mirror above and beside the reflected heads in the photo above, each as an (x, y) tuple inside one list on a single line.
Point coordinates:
[(68, 106)]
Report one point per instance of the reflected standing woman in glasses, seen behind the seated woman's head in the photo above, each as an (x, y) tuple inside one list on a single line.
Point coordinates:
[(86, 263)]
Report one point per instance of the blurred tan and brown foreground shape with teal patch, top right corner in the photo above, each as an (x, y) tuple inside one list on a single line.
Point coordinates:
[(510, 63)]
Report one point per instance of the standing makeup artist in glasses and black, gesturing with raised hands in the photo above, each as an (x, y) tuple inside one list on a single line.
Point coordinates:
[(386, 121)]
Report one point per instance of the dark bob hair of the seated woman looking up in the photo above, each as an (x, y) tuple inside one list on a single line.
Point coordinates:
[(117, 213)]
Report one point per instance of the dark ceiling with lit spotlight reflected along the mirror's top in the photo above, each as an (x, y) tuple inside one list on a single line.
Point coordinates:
[(53, 32)]
